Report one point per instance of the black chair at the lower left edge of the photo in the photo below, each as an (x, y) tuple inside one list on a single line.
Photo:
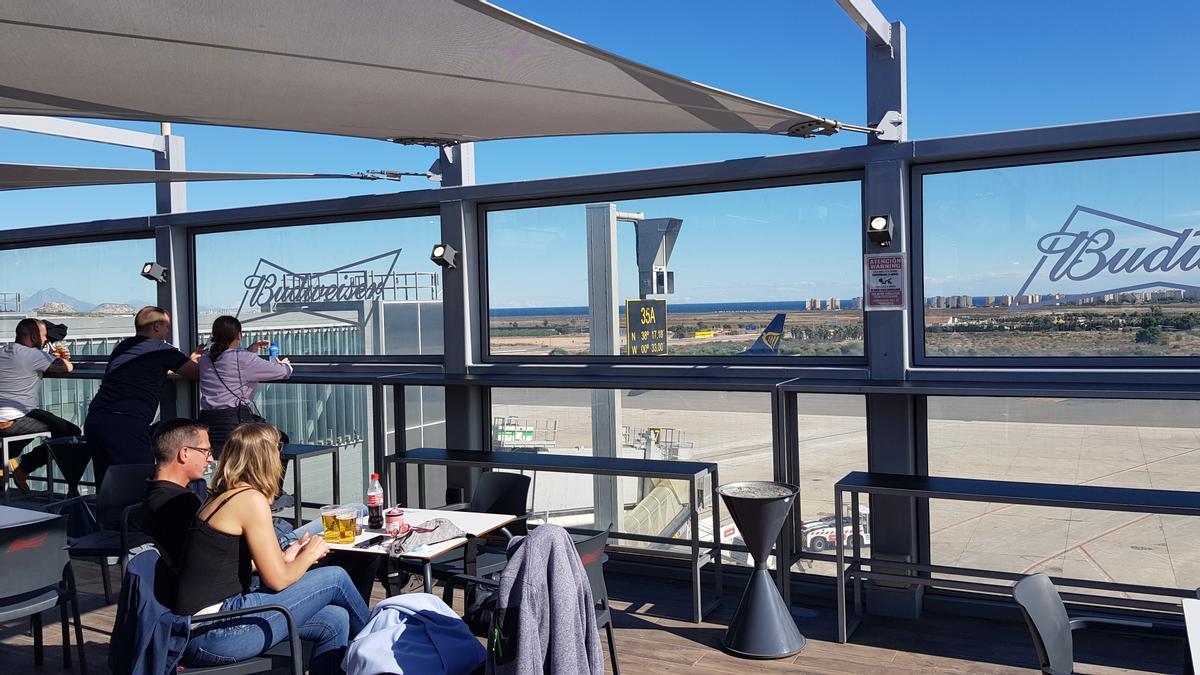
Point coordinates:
[(35, 576)]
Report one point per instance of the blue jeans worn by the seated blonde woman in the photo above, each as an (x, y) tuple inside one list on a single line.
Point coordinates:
[(327, 608)]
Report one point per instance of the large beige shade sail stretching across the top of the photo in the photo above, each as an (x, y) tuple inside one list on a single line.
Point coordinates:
[(439, 71)]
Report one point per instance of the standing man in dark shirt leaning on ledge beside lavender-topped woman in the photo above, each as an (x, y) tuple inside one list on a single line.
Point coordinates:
[(121, 414)]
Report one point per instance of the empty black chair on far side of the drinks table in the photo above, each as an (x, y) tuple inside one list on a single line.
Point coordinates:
[(496, 493)]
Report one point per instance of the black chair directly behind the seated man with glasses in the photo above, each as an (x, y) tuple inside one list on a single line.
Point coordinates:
[(118, 511)]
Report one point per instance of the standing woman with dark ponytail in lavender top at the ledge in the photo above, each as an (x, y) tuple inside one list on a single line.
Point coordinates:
[(230, 375)]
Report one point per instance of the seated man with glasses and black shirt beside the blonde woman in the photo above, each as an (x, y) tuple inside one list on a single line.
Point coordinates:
[(183, 453)]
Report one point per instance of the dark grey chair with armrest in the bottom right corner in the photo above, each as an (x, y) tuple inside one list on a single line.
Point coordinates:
[(1052, 629)]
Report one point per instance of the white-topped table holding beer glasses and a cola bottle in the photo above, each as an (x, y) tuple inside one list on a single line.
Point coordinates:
[(344, 531)]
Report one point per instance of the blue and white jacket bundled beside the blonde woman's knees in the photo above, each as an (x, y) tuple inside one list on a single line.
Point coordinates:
[(415, 634)]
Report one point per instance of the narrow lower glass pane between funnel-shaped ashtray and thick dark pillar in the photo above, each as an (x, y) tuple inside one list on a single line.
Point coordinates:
[(832, 444)]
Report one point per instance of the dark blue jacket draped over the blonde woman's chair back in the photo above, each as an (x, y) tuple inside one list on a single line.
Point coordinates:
[(148, 638)]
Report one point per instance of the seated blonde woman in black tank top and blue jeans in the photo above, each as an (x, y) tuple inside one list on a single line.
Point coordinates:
[(232, 533)]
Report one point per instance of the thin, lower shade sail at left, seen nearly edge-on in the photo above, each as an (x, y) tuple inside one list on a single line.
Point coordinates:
[(25, 177)]
